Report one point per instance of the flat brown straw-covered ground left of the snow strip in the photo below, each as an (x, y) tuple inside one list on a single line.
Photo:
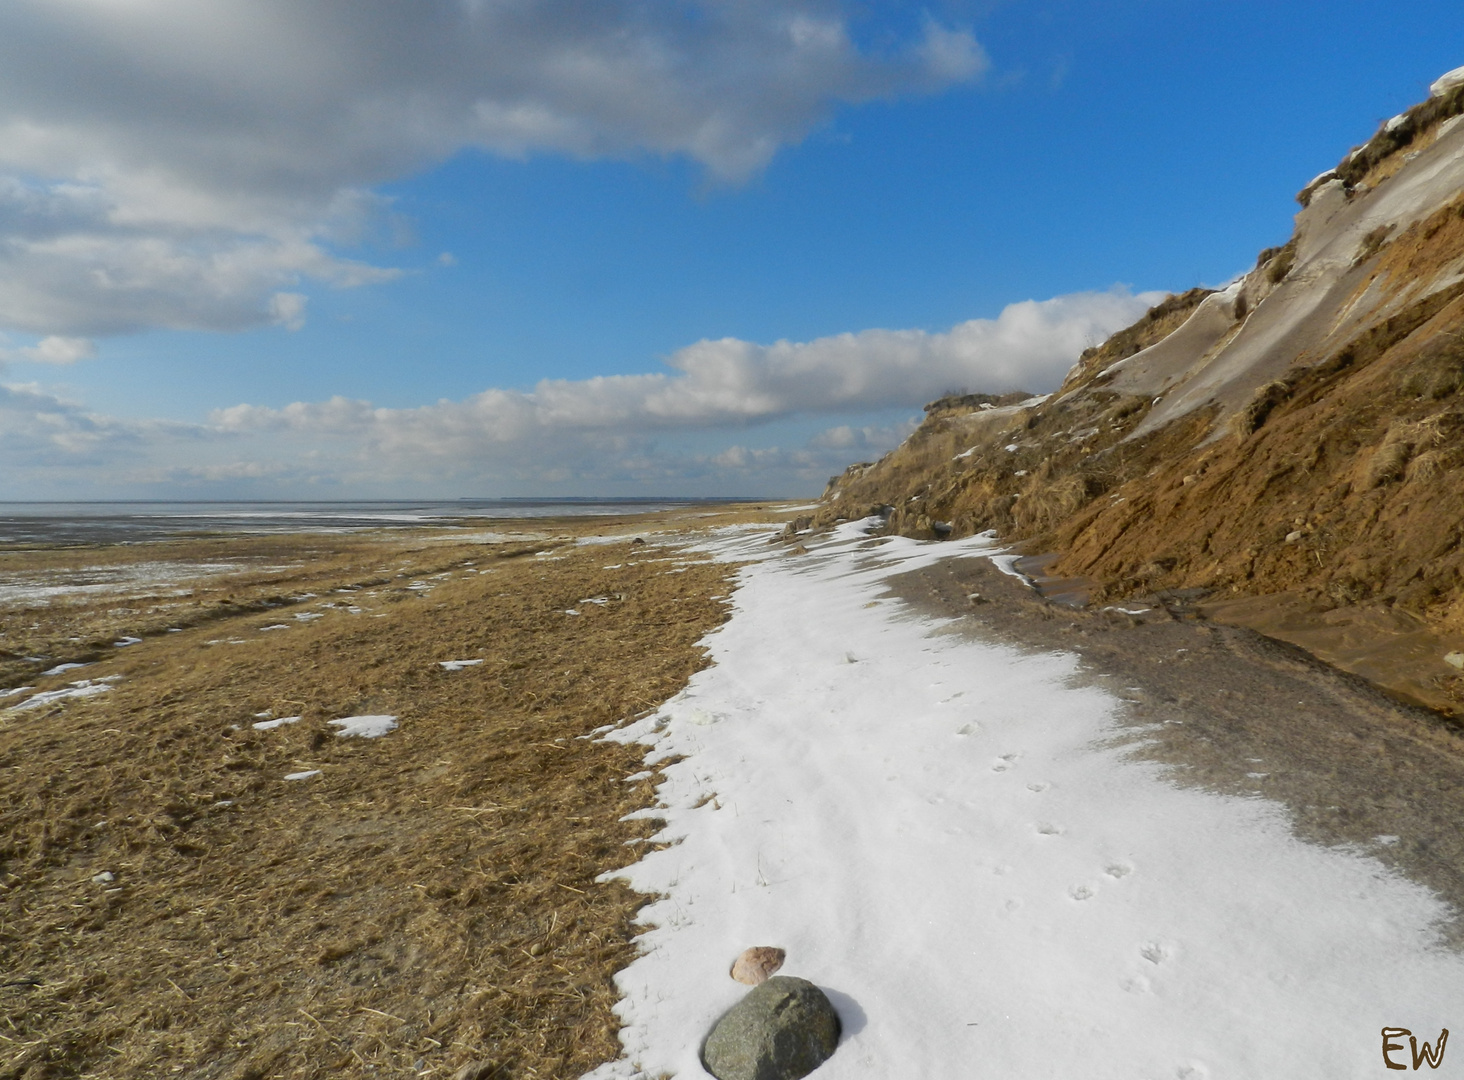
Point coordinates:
[(172, 905)]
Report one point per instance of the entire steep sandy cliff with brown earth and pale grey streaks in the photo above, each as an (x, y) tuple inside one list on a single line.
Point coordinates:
[(1288, 451)]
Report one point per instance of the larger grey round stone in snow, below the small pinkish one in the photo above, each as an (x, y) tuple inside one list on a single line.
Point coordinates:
[(784, 1030)]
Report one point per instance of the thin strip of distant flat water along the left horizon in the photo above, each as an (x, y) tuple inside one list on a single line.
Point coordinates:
[(72, 523)]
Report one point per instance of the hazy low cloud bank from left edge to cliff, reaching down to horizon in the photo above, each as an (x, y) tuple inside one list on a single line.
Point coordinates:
[(693, 428)]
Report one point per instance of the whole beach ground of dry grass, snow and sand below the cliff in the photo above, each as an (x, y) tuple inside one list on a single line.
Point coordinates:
[(512, 798)]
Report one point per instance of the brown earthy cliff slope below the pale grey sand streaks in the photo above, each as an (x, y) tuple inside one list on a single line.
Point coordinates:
[(1334, 500)]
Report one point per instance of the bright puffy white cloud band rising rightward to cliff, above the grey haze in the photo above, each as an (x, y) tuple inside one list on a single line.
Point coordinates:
[(734, 383)]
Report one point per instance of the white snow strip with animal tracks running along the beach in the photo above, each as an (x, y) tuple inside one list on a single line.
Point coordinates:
[(939, 835)]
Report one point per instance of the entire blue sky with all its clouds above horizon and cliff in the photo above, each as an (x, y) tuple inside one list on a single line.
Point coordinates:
[(477, 248)]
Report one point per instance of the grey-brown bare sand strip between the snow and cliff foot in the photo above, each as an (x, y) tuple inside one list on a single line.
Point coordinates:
[(1233, 712)]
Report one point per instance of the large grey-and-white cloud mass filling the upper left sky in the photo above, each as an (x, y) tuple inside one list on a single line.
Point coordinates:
[(166, 163)]
